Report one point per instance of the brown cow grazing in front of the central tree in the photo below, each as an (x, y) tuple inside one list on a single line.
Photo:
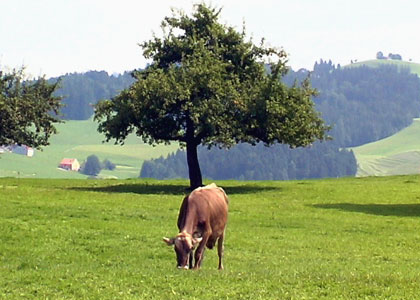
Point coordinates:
[(201, 221)]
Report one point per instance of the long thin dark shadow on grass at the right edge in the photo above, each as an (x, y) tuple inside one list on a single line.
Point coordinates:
[(399, 210)]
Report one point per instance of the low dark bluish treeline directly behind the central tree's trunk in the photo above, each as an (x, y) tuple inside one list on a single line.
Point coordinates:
[(246, 162)]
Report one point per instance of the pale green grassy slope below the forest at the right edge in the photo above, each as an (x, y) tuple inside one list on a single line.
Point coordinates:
[(397, 154)]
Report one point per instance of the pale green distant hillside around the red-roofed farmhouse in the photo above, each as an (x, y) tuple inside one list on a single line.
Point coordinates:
[(79, 139)]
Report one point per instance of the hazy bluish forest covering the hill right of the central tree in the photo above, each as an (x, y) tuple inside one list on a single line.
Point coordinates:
[(365, 104)]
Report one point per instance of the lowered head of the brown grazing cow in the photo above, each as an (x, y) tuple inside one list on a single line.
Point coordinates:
[(183, 243)]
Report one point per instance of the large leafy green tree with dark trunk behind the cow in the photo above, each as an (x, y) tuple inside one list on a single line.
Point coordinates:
[(207, 84)]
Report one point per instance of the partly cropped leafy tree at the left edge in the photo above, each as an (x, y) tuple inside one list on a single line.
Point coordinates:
[(28, 109)]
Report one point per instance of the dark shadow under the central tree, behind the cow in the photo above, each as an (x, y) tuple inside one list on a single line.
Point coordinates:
[(167, 189)]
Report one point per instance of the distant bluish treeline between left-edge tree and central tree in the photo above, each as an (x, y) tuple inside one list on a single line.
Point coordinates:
[(81, 90)]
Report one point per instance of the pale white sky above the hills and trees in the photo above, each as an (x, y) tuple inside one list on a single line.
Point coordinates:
[(55, 37)]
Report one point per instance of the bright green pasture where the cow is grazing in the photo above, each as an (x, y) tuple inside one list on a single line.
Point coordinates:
[(349, 238)]
